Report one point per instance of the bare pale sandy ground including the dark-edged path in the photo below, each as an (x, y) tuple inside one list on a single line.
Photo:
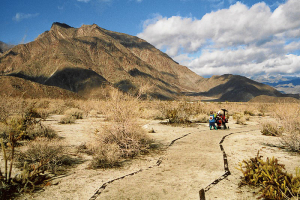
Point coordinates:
[(191, 163)]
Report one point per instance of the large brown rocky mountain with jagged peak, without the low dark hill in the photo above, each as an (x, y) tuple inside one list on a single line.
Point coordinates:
[(91, 57)]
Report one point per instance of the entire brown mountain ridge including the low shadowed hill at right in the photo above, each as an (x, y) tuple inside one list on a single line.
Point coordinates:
[(88, 60)]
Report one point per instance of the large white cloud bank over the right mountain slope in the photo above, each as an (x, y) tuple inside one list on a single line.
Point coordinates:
[(239, 40)]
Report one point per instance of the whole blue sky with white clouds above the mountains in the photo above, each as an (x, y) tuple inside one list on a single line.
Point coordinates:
[(254, 38)]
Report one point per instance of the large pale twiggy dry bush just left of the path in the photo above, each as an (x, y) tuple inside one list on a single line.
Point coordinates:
[(122, 137)]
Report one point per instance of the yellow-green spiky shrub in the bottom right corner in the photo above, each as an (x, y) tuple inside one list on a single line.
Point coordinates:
[(271, 177)]
